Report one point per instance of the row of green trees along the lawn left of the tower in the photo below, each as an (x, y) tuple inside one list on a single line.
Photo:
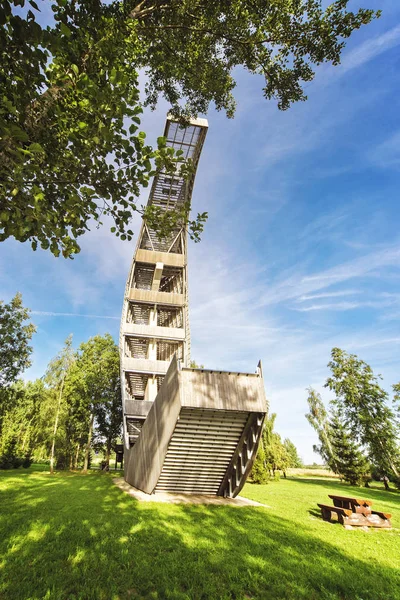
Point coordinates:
[(74, 408)]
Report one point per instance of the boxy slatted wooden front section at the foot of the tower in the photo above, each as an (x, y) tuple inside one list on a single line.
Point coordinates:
[(201, 434)]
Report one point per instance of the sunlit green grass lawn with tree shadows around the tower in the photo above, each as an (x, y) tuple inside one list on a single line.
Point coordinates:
[(71, 536)]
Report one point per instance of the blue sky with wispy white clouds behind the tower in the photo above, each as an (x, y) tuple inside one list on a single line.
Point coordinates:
[(301, 251)]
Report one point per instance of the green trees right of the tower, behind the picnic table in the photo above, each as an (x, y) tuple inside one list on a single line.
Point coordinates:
[(360, 432)]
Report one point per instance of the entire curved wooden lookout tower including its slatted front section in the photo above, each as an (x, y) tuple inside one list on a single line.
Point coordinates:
[(185, 430)]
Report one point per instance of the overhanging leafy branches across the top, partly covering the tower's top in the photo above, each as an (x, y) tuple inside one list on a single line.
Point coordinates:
[(71, 149)]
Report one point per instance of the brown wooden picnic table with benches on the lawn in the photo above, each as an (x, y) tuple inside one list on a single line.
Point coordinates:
[(354, 511)]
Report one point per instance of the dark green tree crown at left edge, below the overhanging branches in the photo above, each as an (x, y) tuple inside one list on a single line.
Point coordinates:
[(15, 335)]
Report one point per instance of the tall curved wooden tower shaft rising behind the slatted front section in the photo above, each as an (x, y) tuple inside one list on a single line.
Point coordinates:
[(154, 324)]
